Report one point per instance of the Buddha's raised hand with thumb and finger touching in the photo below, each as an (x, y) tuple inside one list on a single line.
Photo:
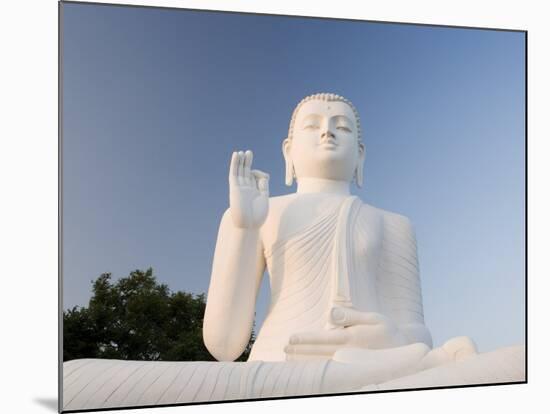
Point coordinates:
[(248, 192)]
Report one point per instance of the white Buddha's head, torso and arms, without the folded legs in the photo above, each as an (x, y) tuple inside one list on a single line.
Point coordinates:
[(342, 273)]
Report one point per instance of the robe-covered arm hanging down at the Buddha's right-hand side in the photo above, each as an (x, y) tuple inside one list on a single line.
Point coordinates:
[(399, 281)]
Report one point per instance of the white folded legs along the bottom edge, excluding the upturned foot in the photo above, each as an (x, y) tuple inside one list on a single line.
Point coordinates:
[(97, 383)]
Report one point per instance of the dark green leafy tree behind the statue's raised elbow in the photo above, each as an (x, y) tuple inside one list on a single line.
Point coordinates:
[(137, 318)]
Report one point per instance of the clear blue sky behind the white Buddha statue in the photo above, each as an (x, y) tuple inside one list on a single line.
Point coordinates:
[(155, 100)]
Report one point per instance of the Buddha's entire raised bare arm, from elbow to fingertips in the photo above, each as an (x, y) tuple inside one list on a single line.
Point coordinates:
[(238, 261)]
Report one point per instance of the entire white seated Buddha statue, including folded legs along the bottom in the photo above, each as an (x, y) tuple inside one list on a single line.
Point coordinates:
[(346, 308)]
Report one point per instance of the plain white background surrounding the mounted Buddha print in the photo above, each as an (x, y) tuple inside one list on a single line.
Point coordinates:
[(29, 188)]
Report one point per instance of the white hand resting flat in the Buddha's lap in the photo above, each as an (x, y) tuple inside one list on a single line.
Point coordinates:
[(354, 329)]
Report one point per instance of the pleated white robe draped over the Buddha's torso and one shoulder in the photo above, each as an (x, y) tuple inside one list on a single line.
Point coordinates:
[(352, 255)]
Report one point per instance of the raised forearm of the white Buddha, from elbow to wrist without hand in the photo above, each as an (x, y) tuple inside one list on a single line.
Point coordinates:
[(236, 275)]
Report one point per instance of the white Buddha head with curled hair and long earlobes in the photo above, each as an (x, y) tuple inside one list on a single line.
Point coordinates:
[(324, 140)]
